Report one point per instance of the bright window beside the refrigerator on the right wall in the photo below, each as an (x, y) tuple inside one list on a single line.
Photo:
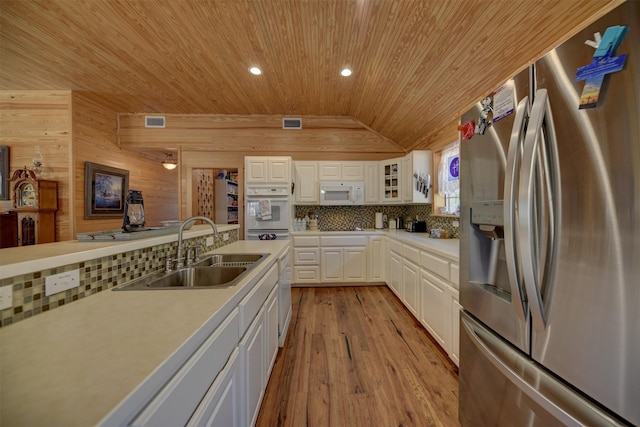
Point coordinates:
[(447, 196)]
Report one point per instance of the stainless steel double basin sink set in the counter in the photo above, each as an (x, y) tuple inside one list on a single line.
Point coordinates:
[(213, 272)]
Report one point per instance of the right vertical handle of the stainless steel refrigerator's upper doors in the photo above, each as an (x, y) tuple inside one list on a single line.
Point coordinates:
[(533, 164)]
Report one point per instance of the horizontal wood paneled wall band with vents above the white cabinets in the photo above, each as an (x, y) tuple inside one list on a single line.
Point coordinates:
[(255, 134)]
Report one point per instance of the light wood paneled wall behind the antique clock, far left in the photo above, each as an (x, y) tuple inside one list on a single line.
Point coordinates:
[(41, 118)]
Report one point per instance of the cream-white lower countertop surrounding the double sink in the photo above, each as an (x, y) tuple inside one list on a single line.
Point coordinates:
[(72, 365)]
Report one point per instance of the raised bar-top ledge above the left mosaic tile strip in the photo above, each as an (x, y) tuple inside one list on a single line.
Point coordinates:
[(27, 259)]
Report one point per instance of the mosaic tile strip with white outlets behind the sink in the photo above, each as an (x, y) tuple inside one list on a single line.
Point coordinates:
[(95, 276)]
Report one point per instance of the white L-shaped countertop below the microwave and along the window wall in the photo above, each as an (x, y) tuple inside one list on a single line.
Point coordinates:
[(448, 248)]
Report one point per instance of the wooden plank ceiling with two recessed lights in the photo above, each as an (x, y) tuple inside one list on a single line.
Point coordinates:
[(417, 64)]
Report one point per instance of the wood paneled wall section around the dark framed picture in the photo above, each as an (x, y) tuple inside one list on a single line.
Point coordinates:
[(95, 135)]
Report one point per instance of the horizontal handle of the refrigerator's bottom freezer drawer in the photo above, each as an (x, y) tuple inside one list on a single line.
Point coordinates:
[(531, 380)]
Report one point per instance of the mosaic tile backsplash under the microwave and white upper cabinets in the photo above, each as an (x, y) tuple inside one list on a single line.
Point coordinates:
[(341, 218)]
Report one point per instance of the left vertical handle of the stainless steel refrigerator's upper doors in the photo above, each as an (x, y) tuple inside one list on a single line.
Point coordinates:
[(518, 299)]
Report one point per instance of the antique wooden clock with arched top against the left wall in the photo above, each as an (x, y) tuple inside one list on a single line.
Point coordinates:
[(36, 202)]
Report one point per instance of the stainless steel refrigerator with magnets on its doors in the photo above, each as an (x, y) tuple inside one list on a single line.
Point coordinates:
[(550, 238)]
